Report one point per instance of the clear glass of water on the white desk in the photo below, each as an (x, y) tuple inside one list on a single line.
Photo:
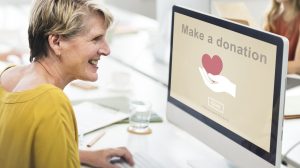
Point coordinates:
[(139, 118)]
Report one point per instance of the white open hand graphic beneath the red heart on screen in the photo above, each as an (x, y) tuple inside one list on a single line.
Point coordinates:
[(217, 83)]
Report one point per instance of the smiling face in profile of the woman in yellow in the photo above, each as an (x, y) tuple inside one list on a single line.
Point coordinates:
[(80, 54)]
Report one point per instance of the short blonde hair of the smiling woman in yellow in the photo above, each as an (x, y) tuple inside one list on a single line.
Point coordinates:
[(59, 17)]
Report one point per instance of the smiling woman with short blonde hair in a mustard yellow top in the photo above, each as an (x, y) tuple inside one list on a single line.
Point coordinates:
[(37, 122)]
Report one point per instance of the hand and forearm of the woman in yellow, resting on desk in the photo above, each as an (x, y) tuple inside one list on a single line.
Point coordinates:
[(101, 158)]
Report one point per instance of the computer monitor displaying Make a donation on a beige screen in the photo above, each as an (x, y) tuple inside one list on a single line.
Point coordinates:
[(227, 87)]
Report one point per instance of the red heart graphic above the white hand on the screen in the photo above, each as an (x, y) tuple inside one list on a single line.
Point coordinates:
[(212, 65)]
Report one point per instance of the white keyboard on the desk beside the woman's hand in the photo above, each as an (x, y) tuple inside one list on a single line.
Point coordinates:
[(142, 160)]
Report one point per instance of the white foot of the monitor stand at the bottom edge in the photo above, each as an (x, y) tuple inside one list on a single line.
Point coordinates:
[(210, 163)]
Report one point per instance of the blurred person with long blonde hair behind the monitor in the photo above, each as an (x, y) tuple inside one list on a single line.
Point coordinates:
[(284, 19)]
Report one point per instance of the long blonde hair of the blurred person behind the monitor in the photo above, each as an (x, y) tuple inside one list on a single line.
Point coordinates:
[(274, 12)]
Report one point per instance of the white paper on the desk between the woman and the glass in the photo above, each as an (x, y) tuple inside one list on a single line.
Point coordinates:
[(91, 116)]
